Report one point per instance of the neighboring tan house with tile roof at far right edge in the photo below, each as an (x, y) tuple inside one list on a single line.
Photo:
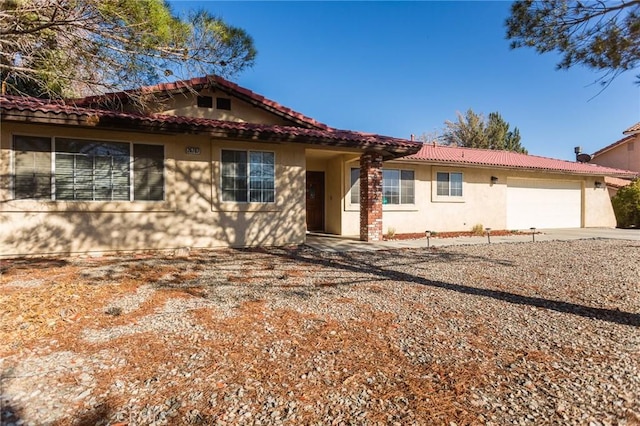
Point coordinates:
[(622, 154)]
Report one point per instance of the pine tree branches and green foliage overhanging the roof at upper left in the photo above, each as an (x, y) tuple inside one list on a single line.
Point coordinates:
[(65, 48)]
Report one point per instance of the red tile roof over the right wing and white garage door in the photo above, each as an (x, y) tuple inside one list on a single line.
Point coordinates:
[(505, 159)]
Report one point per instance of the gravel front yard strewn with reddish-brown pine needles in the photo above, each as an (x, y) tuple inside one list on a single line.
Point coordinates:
[(523, 333)]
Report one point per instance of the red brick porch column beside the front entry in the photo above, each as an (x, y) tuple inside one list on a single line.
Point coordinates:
[(371, 196)]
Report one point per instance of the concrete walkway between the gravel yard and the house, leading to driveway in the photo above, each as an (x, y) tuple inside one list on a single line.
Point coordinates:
[(337, 243)]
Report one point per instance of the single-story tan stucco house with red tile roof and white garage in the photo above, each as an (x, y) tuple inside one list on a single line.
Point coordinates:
[(218, 165)]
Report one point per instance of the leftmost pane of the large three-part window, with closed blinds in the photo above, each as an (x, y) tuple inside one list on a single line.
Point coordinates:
[(32, 167)]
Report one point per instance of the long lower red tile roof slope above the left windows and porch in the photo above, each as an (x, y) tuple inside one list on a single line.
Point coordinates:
[(16, 108)]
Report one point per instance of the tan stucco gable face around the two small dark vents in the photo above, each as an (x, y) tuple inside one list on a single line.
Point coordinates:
[(185, 105)]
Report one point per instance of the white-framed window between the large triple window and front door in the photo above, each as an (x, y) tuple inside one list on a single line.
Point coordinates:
[(248, 176)]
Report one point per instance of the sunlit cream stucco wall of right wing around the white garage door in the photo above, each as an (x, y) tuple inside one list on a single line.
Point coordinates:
[(482, 203)]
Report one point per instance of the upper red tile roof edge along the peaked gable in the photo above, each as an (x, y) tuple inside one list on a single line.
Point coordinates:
[(212, 81)]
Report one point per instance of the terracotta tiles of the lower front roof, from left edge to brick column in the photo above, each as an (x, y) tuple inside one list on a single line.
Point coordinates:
[(284, 133)]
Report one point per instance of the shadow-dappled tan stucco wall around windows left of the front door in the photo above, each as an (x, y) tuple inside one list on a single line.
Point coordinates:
[(192, 214)]
